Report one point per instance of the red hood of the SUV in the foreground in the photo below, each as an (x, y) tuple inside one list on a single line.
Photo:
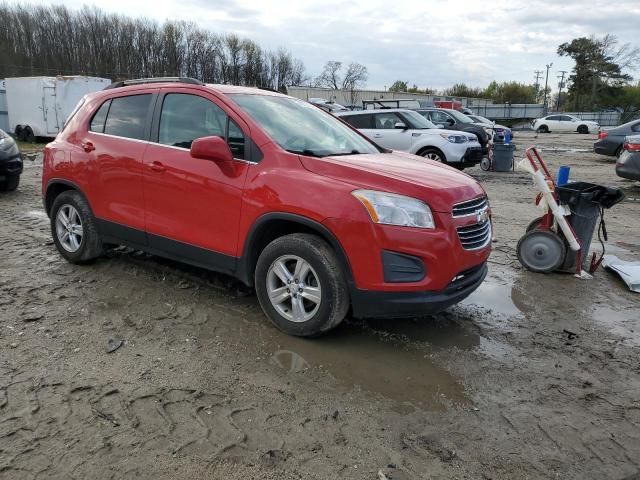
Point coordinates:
[(438, 185)]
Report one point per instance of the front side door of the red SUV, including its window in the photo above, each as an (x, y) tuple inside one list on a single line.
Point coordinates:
[(192, 206)]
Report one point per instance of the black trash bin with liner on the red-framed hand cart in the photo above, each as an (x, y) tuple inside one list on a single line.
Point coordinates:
[(585, 200)]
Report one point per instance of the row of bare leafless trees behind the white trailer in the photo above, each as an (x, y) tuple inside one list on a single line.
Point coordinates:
[(55, 40)]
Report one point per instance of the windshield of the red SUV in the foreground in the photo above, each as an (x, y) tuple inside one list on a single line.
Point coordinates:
[(299, 127)]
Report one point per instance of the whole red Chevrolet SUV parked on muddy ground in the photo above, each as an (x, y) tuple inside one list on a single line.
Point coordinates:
[(268, 189)]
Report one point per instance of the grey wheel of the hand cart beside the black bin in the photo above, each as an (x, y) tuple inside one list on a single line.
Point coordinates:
[(541, 251)]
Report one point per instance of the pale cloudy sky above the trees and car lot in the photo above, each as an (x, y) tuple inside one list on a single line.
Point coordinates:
[(429, 43)]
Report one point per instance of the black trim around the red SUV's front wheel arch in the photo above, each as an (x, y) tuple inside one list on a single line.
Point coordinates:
[(247, 262)]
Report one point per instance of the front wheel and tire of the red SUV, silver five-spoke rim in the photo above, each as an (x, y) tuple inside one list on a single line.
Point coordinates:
[(324, 275)]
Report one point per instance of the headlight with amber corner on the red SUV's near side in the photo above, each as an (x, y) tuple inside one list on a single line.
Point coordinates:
[(393, 209)]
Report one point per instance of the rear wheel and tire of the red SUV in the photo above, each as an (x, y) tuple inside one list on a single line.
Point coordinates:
[(87, 246)]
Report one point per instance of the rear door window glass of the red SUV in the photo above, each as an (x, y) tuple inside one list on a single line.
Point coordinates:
[(127, 116)]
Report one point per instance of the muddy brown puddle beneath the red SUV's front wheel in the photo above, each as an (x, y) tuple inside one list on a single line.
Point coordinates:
[(389, 358)]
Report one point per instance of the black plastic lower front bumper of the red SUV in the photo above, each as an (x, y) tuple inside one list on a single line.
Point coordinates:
[(378, 304)]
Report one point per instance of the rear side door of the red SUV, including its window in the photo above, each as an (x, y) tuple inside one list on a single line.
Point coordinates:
[(114, 147)]
